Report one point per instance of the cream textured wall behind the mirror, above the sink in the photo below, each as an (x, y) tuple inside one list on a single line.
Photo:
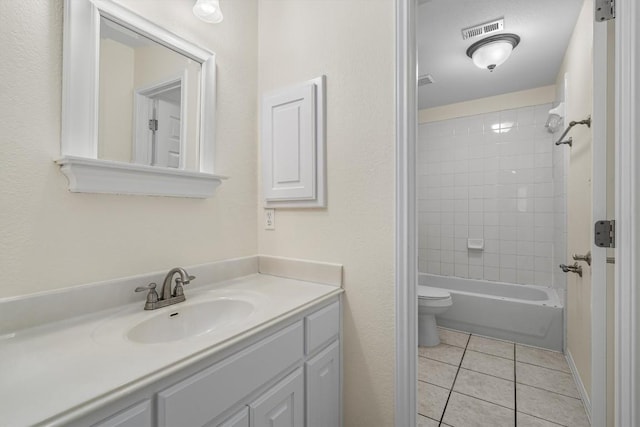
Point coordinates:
[(50, 238)]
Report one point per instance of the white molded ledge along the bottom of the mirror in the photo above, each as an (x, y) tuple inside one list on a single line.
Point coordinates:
[(104, 176)]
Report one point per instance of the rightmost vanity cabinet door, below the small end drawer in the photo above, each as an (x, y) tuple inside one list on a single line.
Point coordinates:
[(323, 388)]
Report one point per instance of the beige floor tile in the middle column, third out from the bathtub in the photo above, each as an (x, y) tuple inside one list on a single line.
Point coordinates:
[(485, 387)]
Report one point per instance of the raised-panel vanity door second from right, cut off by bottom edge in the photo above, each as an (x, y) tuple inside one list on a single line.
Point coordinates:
[(282, 405)]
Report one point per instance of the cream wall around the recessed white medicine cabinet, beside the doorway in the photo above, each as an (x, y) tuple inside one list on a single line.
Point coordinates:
[(352, 42)]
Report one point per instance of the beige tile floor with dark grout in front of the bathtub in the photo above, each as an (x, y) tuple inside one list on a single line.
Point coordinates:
[(470, 380)]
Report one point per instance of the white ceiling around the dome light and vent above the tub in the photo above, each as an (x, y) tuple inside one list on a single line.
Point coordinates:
[(544, 26)]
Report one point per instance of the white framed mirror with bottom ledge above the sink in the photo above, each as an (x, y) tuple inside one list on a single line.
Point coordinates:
[(138, 106)]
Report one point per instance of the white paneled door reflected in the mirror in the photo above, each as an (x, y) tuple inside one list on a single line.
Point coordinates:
[(166, 141)]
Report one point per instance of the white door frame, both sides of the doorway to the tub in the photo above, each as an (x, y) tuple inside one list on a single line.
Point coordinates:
[(627, 88)]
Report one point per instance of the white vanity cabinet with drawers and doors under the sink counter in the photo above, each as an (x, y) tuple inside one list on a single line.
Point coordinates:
[(290, 378)]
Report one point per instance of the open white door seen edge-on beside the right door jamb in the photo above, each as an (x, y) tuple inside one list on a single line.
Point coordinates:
[(603, 196)]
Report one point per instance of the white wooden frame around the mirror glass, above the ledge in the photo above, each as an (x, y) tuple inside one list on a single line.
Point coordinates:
[(80, 82)]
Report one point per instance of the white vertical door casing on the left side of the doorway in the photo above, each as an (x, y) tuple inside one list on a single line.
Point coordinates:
[(406, 213)]
